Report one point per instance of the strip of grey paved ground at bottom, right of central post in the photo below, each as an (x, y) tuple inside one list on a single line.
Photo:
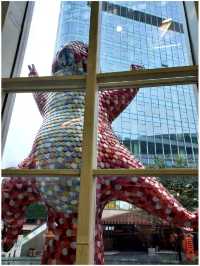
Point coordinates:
[(130, 258)]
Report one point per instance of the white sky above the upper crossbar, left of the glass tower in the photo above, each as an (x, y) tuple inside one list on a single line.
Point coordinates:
[(40, 47)]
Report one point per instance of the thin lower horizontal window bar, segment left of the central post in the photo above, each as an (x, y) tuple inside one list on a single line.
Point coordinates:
[(40, 172)]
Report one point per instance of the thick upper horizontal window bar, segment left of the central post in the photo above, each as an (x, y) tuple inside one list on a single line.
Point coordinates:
[(46, 84)]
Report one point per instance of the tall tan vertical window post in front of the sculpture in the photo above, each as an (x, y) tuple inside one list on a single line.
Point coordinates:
[(87, 196)]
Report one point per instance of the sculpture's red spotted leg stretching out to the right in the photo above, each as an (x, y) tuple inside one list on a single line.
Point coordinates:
[(144, 192)]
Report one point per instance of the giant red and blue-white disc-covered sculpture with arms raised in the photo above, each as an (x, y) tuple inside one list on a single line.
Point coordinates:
[(58, 145)]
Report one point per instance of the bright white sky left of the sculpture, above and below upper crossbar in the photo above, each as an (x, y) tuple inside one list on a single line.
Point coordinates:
[(26, 119)]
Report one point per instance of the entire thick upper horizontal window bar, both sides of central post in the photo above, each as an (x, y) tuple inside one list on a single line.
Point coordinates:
[(140, 78)]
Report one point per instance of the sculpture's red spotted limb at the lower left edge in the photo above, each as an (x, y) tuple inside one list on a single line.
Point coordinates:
[(17, 194)]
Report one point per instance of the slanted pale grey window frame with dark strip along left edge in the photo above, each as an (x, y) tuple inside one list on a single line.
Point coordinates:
[(13, 53)]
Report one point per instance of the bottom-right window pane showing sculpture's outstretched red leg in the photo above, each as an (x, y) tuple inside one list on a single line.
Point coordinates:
[(139, 215)]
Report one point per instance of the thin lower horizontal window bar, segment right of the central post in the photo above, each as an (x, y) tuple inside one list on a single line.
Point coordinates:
[(146, 172)]
